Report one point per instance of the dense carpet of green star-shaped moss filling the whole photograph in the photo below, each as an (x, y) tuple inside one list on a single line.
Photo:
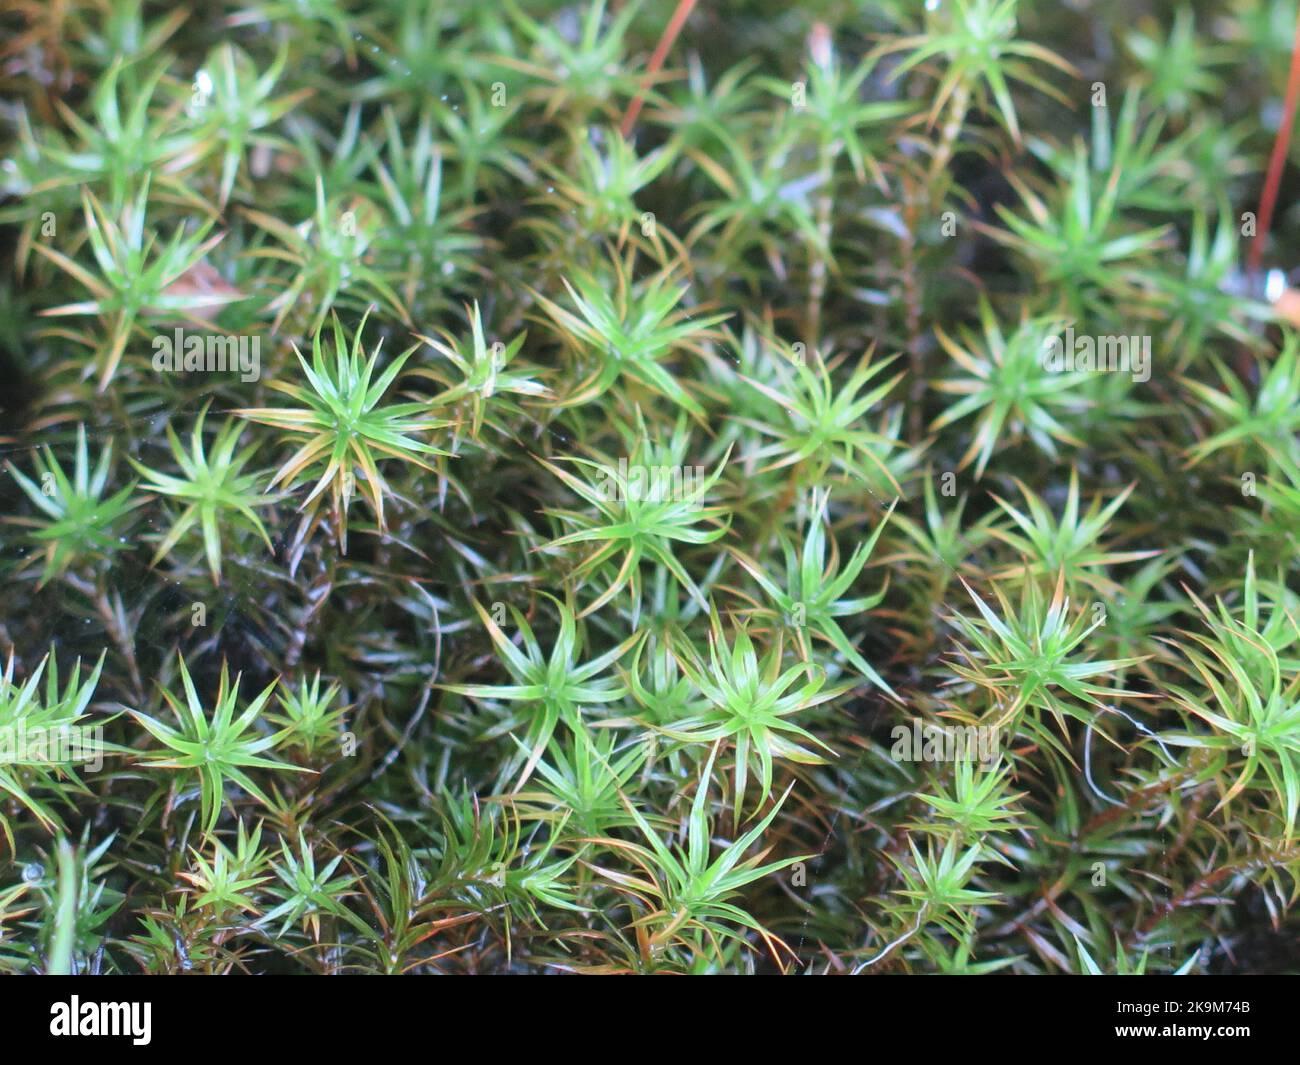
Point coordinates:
[(839, 514)]
